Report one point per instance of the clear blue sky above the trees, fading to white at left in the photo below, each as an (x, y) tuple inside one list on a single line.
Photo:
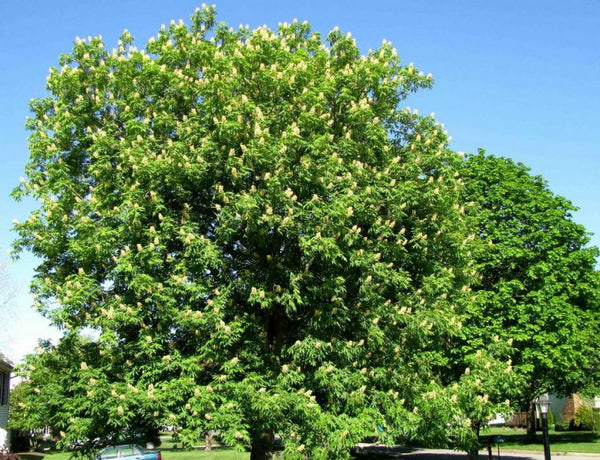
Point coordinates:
[(517, 78)]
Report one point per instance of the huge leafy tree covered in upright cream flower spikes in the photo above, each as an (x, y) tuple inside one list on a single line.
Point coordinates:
[(263, 240)]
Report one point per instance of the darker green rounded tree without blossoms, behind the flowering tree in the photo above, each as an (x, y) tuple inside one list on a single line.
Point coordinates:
[(539, 286)]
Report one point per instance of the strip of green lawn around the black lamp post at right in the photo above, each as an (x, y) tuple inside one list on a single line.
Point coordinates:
[(560, 441)]
